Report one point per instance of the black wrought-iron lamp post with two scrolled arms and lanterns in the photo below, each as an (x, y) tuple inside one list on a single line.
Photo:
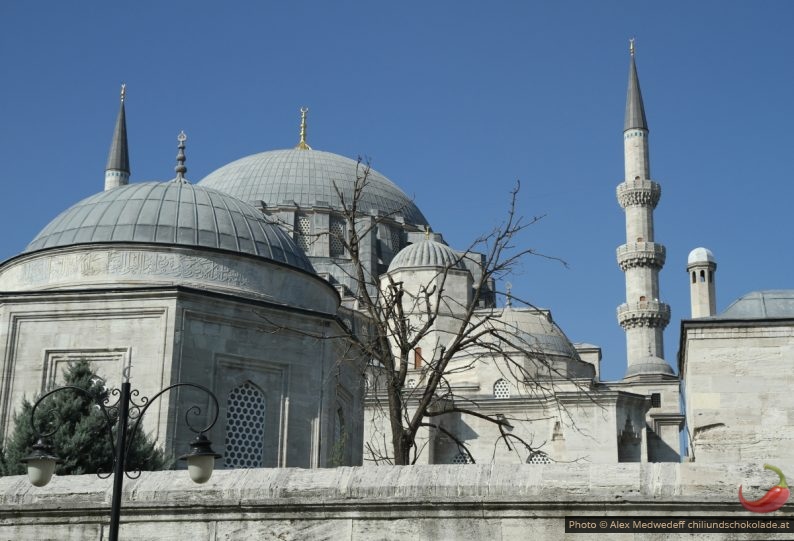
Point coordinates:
[(200, 459)]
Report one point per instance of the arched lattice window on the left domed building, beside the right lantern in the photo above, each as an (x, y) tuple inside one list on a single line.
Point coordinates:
[(245, 427)]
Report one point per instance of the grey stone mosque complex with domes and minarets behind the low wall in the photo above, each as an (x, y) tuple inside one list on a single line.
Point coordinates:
[(242, 281)]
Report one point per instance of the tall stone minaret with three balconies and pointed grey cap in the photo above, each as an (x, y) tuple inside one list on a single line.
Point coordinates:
[(643, 316)]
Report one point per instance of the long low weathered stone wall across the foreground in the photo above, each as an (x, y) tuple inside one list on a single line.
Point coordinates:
[(471, 502)]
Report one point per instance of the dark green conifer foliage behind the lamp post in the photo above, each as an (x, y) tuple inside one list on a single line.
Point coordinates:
[(81, 439)]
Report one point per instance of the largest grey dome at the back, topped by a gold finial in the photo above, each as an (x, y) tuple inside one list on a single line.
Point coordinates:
[(306, 178)]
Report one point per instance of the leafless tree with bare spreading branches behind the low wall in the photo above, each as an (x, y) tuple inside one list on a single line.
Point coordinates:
[(392, 319)]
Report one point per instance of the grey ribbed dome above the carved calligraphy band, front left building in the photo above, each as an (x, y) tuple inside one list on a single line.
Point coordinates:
[(171, 213)]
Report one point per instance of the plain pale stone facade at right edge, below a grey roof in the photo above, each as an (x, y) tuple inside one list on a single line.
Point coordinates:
[(738, 376)]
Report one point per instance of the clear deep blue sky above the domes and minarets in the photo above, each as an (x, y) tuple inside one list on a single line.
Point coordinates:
[(453, 101)]
